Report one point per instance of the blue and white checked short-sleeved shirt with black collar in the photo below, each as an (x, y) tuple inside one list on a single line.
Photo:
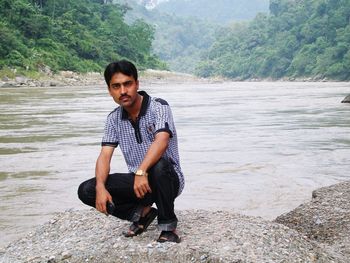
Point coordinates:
[(134, 139)]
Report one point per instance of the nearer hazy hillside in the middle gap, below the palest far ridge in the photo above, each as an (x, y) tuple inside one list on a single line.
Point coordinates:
[(178, 41)]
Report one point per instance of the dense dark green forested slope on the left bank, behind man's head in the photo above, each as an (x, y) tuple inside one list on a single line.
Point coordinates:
[(77, 35)]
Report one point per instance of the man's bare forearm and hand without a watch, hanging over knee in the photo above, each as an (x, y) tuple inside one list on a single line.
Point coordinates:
[(101, 172)]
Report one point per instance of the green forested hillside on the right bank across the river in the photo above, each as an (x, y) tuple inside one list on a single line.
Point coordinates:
[(300, 38)]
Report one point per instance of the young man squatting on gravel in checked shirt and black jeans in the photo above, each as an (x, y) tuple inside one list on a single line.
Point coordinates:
[(144, 129)]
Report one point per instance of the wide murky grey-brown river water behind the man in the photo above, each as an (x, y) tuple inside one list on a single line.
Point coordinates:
[(257, 148)]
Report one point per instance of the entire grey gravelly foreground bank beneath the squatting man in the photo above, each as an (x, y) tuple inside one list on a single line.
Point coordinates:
[(317, 231)]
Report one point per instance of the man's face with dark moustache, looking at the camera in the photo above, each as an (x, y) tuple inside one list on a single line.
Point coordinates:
[(123, 89)]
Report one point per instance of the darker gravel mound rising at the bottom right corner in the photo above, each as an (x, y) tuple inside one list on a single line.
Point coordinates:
[(325, 219)]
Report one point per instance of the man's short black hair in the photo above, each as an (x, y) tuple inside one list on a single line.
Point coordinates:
[(122, 66)]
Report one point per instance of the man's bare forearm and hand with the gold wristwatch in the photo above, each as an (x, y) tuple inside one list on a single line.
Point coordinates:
[(154, 153)]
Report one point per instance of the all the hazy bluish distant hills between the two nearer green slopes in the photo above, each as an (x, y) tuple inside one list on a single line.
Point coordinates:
[(184, 29)]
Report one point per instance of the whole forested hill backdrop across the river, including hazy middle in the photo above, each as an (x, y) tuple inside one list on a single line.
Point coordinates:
[(293, 39)]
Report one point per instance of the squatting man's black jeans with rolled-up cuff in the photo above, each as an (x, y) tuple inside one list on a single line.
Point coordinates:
[(163, 181)]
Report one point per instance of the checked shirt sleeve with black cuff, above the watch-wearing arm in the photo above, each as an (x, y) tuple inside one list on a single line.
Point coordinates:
[(164, 118)]
